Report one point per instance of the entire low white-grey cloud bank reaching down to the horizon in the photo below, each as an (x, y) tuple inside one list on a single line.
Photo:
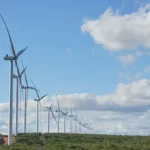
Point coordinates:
[(126, 110)]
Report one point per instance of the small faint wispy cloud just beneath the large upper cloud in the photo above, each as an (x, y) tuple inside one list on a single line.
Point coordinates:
[(126, 59)]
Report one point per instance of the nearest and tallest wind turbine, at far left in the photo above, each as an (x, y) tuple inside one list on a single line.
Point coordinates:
[(11, 59)]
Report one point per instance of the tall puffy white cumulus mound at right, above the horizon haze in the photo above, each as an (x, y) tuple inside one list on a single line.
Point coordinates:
[(134, 95)]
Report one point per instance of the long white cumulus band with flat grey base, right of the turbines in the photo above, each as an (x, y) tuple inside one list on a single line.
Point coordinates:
[(126, 97)]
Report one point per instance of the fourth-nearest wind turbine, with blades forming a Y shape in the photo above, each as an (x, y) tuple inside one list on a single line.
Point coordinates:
[(38, 100)]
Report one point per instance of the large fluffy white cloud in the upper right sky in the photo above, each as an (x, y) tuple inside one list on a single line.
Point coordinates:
[(117, 32)]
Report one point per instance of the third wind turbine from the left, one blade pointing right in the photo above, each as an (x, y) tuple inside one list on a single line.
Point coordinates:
[(26, 88)]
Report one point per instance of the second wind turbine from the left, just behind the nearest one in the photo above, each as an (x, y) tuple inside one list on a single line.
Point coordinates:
[(17, 86)]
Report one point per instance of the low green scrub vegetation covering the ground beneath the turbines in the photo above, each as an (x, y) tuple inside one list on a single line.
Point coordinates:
[(51, 141)]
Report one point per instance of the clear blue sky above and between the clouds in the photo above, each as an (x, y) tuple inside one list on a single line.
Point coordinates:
[(50, 28)]
